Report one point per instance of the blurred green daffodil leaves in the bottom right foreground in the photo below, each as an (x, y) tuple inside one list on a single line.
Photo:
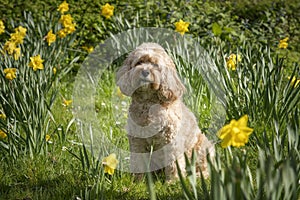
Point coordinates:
[(275, 177)]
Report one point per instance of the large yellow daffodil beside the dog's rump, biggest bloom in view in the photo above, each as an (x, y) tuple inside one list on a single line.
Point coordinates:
[(236, 133)]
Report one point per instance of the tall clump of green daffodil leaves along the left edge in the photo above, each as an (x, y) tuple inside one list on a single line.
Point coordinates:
[(28, 98)]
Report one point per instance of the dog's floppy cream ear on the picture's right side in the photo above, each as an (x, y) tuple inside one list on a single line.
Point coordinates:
[(171, 86)]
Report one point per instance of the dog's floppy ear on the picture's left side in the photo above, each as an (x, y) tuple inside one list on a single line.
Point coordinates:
[(123, 79)]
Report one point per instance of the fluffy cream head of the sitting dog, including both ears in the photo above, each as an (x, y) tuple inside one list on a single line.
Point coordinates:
[(150, 69)]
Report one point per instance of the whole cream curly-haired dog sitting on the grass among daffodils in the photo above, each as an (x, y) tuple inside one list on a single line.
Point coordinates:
[(158, 120)]
